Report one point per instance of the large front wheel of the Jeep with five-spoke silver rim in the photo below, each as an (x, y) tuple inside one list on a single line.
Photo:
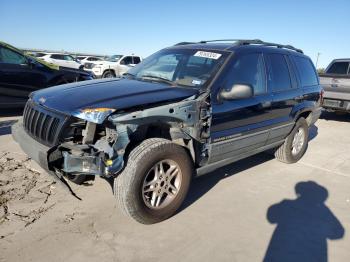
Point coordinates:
[(130, 184)]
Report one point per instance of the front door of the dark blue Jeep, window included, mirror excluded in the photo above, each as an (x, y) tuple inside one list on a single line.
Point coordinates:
[(241, 126)]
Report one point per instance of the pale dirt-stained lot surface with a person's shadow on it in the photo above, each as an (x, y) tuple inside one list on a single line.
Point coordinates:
[(254, 209)]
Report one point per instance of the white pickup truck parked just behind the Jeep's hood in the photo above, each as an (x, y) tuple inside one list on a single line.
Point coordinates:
[(114, 66)]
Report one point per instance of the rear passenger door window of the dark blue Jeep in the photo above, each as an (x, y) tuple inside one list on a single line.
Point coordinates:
[(278, 72)]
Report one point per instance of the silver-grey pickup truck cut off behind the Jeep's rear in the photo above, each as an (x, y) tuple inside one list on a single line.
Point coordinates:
[(336, 84)]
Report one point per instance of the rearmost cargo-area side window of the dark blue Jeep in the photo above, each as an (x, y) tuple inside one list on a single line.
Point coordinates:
[(306, 71)]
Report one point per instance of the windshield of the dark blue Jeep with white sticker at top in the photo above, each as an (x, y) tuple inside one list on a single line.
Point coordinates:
[(191, 68)]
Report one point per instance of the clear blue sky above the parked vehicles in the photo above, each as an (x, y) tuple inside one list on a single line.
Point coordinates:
[(143, 27)]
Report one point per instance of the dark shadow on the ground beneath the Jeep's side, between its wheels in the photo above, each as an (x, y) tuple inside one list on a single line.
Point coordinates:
[(201, 185)]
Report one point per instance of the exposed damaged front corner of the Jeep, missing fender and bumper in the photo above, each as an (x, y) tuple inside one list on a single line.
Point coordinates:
[(102, 146)]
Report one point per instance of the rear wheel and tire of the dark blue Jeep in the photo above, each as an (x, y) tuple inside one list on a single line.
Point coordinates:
[(288, 153)]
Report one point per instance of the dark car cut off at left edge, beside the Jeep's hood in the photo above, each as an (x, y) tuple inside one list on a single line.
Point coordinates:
[(21, 74)]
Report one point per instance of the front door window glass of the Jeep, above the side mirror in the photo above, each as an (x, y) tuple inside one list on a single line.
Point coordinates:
[(248, 69)]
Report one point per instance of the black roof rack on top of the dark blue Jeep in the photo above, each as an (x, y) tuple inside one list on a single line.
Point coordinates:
[(246, 42)]
